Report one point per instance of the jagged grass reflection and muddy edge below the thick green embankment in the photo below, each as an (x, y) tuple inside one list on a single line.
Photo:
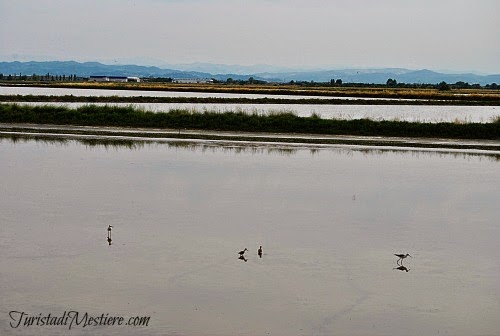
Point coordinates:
[(258, 148)]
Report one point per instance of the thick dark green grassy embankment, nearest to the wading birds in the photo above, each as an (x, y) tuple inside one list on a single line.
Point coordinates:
[(241, 122)]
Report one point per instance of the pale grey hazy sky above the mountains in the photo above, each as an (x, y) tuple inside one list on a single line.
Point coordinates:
[(456, 35)]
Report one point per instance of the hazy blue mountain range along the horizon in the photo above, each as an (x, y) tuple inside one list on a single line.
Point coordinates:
[(377, 76)]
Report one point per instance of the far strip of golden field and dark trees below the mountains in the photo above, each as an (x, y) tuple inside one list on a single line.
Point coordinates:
[(425, 95)]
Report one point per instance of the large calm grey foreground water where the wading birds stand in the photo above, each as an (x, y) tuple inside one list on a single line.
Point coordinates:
[(329, 221)]
